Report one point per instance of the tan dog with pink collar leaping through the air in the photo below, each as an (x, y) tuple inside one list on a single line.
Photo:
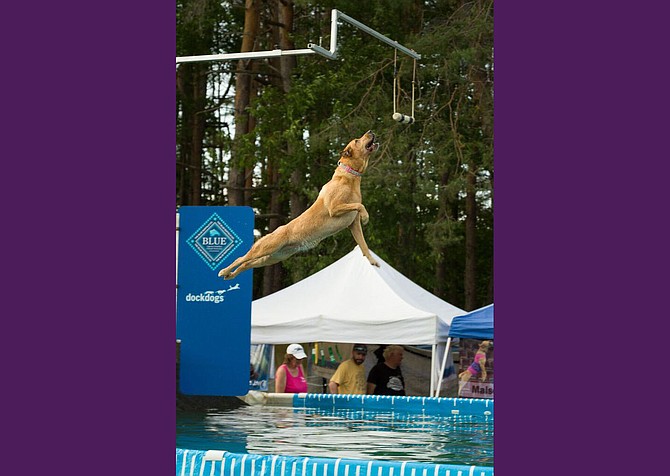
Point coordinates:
[(337, 207)]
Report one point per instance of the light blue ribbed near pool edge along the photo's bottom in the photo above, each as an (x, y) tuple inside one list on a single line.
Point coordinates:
[(199, 462)]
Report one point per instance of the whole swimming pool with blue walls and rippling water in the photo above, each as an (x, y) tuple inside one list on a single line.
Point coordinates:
[(430, 432)]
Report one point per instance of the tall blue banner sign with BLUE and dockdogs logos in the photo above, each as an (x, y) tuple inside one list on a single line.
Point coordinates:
[(213, 315)]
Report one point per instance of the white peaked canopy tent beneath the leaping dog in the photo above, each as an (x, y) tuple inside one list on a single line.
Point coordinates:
[(351, 301)]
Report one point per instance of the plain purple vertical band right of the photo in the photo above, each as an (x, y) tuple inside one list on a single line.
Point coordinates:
[(579, 113)]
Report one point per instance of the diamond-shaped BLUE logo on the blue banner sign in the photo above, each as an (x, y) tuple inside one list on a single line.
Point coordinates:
[(214, 241)]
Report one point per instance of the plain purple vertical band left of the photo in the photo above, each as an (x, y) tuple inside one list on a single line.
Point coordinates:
[(88, 237)]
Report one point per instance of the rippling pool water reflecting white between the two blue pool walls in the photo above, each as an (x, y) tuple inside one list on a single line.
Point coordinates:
[(257, 429)]
